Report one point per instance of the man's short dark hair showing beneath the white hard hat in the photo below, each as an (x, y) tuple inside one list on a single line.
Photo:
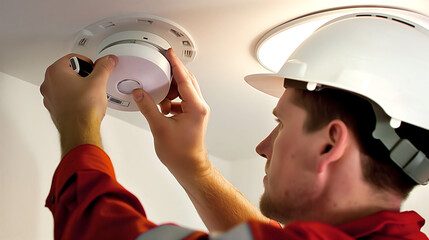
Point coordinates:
[(357, 113)]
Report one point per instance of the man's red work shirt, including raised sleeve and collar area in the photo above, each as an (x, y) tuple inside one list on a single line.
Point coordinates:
[(87, 202)]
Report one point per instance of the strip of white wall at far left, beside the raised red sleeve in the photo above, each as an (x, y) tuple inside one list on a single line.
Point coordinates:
[(29, 152)]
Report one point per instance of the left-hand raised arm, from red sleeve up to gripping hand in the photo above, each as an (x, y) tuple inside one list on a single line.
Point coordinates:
[(85, 199)]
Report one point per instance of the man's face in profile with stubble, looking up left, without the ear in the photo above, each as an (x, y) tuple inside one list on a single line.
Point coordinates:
[(290, 182)]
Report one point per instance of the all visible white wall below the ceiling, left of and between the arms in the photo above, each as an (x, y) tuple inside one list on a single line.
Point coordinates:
[(29, 154)]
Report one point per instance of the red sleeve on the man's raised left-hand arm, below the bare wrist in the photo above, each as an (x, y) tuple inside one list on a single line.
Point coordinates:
[(88, 203)]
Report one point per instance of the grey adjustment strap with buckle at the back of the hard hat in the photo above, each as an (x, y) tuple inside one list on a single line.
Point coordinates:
[(412, 161)]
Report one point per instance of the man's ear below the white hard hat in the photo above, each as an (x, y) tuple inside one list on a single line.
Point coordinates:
[(335, 138)]
